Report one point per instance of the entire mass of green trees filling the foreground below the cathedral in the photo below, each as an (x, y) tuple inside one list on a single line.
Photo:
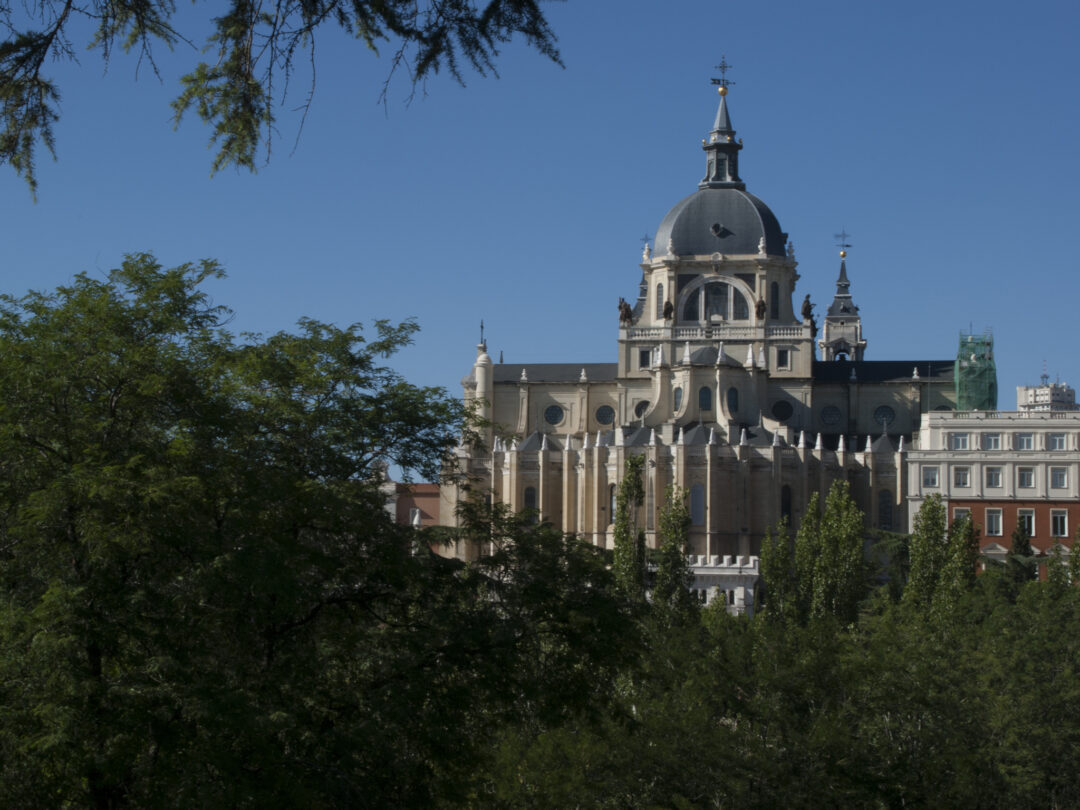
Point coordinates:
[(206, 603)]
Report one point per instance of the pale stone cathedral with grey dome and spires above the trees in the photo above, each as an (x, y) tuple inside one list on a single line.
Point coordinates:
[(731, 389)]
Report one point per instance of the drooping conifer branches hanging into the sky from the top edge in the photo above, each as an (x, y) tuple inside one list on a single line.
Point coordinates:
[(255, 50)]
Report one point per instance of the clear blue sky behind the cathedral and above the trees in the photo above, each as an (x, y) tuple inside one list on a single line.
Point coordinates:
[(940, 136)]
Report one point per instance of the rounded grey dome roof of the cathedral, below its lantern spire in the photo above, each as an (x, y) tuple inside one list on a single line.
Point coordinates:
[(726, 221)]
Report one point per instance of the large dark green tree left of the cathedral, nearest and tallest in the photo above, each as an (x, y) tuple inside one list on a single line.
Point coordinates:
[(204, 601)]
